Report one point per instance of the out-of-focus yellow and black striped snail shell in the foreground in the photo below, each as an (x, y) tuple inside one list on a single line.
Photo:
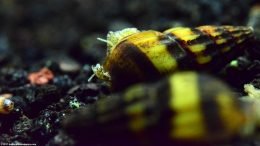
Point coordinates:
[(185, 106)]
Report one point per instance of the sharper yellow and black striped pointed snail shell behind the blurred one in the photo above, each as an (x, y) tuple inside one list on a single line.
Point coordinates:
[(150, 55)]
